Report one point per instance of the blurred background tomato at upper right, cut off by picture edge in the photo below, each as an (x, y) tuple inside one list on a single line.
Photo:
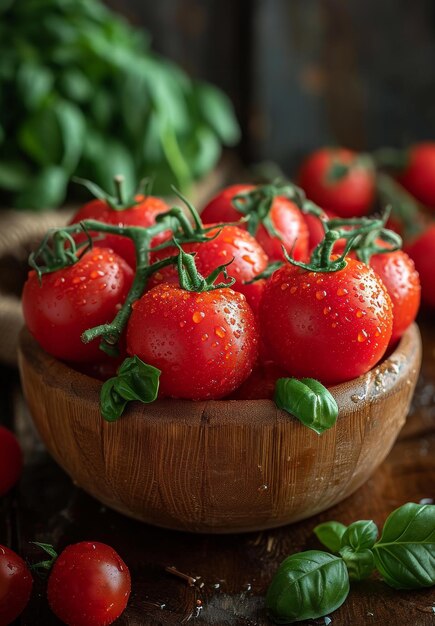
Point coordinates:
[(418, 177)]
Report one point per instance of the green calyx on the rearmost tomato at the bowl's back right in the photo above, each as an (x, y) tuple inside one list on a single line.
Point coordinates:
[(256, 204)]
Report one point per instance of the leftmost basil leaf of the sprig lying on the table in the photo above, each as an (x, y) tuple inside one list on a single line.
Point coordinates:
[(306, 586)]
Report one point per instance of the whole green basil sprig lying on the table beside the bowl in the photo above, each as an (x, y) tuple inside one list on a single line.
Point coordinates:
[(314, 583)]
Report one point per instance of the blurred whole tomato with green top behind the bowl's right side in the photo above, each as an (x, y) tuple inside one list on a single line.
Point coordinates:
[(349, 192)]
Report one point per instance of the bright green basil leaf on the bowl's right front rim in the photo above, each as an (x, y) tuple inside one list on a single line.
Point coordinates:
[(308, 400)]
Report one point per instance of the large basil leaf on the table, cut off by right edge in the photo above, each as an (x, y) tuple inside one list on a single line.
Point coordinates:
[(405, 553)]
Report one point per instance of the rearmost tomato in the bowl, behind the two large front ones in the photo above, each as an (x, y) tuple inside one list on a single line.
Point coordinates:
[(275, 220)]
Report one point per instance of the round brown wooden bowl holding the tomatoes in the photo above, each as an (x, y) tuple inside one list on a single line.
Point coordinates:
[(218, 466)]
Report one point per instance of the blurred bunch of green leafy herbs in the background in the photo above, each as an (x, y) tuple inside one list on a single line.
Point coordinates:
[(82, 93)]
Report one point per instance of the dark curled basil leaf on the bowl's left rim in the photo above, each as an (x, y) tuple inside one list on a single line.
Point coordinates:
[(135, 381)]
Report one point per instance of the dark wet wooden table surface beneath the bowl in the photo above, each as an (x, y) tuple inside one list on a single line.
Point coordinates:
[(232, 571)]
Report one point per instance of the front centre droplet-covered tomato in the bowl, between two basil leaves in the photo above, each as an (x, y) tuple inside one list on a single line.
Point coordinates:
[(205, 344)]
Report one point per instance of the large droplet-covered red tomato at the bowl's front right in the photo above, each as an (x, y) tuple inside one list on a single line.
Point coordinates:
[(329, 326)]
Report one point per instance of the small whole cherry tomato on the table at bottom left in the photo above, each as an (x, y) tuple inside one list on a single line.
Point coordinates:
[(89, 585)]
